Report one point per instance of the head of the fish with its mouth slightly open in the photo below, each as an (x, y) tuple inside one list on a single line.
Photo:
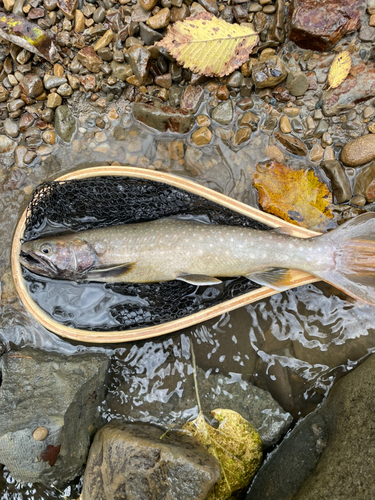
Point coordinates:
[(64, 257)]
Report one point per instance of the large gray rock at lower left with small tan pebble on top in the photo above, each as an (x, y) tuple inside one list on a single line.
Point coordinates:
[(49, 412)]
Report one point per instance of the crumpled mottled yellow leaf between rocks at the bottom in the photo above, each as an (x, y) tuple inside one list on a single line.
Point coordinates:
[(235, 444)]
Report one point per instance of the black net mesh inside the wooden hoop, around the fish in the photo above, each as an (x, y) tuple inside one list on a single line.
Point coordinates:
[(78, 205)]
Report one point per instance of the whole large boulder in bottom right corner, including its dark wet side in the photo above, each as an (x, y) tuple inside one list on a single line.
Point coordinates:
[(337, 438)]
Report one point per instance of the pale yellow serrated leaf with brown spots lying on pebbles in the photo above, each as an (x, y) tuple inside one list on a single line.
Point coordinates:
[(208, 45)]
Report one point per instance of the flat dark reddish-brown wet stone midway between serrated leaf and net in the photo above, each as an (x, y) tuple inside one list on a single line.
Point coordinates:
[(164, 118)]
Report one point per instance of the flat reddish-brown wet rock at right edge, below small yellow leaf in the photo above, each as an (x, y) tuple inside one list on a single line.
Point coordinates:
[(357, 87)]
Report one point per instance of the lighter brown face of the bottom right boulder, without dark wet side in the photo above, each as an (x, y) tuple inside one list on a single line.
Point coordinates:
[(345, 469)]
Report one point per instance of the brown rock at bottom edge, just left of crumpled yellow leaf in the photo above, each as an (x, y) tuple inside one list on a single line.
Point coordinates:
[(132, 461)]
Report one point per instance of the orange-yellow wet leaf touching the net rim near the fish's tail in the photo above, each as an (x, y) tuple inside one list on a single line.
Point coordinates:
[(296, 196)]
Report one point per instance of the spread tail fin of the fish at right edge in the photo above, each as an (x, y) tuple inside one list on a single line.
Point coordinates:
[(353, 269)]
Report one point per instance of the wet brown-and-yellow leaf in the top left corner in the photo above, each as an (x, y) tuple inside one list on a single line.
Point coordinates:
[(29, 36)]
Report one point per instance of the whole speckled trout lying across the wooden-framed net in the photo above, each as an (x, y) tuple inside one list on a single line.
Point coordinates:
[(200, 253)]
